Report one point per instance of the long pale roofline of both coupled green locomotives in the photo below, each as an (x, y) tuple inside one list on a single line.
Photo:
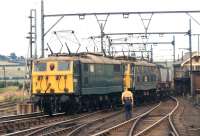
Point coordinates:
[(94, 58)]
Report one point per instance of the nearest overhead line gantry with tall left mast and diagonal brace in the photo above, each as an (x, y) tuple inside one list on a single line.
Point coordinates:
[(102, 25)]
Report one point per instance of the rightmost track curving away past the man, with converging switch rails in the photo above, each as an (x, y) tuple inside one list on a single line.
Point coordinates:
[(146, 122)]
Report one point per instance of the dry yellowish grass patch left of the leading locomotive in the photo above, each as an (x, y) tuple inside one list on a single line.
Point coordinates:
[(12, 94)]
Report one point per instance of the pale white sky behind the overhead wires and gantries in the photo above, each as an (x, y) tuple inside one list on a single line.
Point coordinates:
[(14, 24)]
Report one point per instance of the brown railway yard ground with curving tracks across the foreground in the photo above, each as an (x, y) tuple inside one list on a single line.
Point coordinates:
[(172, 116)]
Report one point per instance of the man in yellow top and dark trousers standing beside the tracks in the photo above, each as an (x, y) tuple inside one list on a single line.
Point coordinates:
[(127, 101)]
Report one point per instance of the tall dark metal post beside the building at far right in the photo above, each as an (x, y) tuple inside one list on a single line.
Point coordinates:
[(190, 50)]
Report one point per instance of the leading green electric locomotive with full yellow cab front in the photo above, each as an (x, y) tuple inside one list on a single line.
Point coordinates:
[(76, 83)]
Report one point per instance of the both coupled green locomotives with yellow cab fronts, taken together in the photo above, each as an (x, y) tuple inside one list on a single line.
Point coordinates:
[(88, 81)]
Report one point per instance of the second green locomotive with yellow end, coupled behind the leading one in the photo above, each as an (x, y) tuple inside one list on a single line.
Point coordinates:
[(141, 78)]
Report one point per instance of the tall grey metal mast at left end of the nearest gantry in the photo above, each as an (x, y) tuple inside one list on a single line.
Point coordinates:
[(42, 29)]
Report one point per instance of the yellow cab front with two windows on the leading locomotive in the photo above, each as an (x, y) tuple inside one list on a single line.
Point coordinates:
[(52, 77)]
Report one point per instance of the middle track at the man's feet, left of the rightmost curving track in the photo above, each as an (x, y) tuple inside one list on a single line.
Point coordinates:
[(85, 126)]
